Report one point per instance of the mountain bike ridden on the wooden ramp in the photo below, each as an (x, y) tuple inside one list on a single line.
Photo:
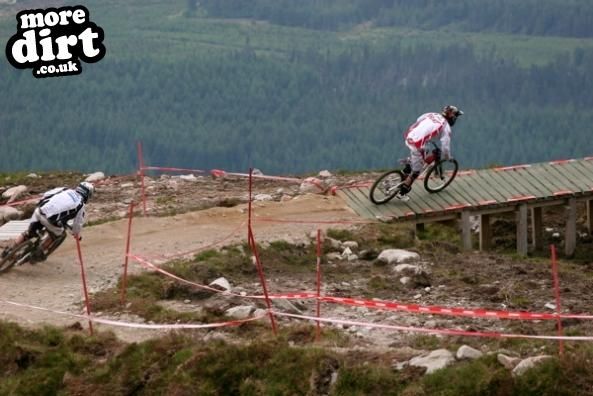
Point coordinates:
[(436, 172)]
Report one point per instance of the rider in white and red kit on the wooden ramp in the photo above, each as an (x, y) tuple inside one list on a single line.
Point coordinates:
[(427, 127)]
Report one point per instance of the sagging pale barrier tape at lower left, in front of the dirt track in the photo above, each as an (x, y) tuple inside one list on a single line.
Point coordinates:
[(138, 325)]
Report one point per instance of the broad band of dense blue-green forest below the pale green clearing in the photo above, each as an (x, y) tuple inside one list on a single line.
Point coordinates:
[(315, 109)]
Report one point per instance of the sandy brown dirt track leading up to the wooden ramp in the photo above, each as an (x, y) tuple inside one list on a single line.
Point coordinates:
[(56, 283)]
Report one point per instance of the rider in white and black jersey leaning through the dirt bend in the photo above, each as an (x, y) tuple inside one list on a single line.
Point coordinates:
[(54, 210)]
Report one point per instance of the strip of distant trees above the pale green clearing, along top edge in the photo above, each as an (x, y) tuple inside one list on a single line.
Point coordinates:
[(569, 18)]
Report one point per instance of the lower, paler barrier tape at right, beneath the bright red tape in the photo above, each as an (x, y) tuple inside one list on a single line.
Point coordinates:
[(433, 331)]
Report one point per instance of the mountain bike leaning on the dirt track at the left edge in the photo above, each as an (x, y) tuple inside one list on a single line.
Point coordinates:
[(30, 250)]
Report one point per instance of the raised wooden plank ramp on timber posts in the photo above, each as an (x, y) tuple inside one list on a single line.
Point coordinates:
[(483, 192)]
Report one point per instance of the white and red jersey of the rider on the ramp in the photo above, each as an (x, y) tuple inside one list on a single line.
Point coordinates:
[(427, 127)]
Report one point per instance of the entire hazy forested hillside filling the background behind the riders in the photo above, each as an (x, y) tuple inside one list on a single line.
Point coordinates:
[(291, 89)]
